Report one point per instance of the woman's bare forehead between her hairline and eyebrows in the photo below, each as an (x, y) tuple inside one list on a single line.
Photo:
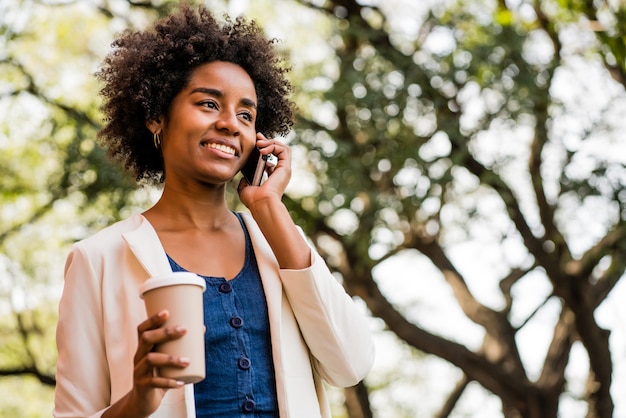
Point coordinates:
[(225, 76)]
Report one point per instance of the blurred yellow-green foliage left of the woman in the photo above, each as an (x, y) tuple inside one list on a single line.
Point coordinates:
[(56, 185)]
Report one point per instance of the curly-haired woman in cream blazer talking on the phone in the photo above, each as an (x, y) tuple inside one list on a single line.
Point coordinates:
[(183, 102)]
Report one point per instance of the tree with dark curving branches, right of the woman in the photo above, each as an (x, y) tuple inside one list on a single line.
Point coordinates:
[(460, 133)]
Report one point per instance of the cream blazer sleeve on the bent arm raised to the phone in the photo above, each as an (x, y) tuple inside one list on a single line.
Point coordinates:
[(336, 331)]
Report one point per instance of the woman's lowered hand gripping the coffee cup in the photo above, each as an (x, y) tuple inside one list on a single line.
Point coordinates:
[(148, 388)]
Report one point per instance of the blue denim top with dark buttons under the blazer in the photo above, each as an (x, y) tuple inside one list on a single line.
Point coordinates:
[(240, 380)]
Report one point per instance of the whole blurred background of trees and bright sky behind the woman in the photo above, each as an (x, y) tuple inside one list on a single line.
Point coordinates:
[(459, 163)]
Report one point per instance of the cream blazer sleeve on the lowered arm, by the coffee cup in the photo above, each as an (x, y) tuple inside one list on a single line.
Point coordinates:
[(82, 379)]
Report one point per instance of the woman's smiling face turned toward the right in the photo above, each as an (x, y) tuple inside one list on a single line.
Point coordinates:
[(210, 129)]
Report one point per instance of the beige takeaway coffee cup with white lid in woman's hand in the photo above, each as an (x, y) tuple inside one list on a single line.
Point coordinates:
[(181, 294)]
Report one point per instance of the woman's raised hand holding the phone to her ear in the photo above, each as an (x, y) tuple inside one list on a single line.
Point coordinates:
[(278, 175)]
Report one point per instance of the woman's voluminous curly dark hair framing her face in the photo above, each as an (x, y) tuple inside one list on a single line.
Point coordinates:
[(147, 69)]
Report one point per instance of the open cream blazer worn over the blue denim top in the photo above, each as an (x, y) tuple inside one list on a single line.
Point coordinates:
[(317, 332)]
